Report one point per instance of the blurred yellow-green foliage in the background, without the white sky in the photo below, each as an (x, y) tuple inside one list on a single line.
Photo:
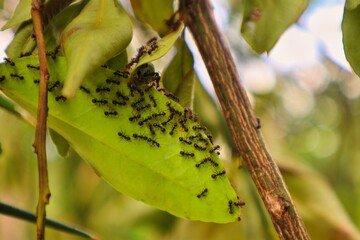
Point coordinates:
[(313, 133)]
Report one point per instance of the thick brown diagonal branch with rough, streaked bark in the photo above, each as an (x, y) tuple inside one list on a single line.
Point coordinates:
[(198, 16)]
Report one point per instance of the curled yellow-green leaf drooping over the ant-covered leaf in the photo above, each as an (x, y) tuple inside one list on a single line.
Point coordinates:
[(101, 23)]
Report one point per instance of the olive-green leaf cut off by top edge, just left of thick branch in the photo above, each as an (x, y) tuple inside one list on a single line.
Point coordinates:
[(155, 13)]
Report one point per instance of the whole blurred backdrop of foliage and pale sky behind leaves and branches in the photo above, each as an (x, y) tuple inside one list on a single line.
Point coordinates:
[(307, 98)]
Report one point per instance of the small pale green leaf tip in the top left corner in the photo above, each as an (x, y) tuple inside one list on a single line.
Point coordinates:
[(21, 14)]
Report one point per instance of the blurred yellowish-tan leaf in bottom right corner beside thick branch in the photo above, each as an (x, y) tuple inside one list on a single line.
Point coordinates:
[(323, 214)]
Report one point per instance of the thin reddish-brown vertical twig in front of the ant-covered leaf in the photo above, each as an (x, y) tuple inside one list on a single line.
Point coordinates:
[(40, 133)]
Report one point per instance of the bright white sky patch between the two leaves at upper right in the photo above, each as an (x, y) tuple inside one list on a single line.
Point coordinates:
[(318, 31)]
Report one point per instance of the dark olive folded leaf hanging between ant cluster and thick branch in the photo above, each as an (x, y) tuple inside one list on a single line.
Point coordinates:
[(179, 76)]
